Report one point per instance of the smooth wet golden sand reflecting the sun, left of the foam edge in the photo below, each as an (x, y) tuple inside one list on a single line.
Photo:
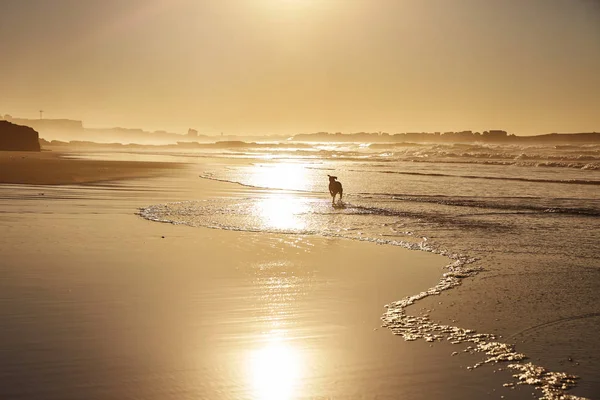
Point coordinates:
[(98, 303)]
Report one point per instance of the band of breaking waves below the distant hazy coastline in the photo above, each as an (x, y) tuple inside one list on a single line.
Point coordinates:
[(562, 156)]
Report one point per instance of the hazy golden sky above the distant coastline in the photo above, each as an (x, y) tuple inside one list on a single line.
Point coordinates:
[(290, 66)]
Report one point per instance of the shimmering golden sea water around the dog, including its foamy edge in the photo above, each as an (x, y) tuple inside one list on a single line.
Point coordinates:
[(520, 226)]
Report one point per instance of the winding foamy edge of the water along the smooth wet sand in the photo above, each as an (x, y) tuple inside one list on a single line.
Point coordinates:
[(491, 350)]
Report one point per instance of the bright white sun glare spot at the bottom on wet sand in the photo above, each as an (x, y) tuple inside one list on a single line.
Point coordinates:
[(275, 370)]
